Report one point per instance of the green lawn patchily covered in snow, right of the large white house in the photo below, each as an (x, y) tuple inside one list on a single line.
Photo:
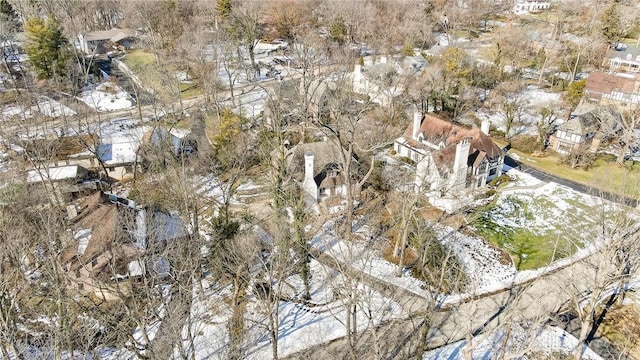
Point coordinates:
[(542, 225)]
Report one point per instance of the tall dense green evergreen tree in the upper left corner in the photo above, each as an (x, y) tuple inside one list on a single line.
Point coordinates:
[(46, 46)]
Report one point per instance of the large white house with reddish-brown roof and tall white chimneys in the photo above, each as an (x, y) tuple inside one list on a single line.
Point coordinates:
[(451, 161)]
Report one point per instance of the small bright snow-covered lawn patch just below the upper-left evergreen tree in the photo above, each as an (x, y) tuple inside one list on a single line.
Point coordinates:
[(106, 96)]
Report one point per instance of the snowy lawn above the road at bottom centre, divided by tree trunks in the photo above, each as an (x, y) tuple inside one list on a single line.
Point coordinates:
[(301, 326)]
